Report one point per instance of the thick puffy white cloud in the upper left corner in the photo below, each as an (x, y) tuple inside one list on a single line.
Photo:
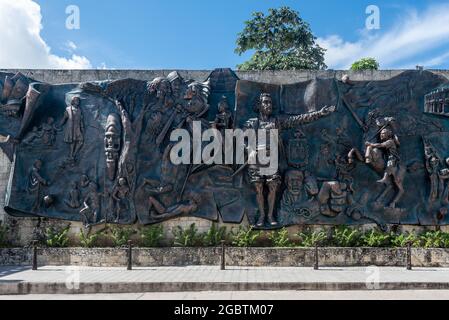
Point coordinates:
[(22, 44)]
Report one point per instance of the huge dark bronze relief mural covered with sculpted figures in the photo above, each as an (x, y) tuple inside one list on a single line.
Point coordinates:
[(348, 152)]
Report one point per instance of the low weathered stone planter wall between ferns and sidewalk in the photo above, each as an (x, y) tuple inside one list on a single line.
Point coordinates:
[(243, 257)]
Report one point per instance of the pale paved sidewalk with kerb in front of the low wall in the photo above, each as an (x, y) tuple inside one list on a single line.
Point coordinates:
[(85, 280)]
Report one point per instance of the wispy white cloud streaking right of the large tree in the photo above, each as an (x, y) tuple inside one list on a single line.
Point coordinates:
[(416, 34)]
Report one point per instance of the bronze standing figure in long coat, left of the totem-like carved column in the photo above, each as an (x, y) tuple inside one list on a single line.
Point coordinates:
[(74, 127)]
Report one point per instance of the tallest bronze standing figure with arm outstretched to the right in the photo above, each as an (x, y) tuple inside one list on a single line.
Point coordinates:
[(272, 182)]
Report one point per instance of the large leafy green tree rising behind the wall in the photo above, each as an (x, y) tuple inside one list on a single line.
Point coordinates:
[(281, 41)]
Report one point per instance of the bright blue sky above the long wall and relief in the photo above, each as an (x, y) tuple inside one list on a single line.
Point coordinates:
[(201, 34)]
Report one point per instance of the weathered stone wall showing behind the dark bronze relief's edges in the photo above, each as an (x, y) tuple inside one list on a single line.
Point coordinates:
[(23, 230)]
